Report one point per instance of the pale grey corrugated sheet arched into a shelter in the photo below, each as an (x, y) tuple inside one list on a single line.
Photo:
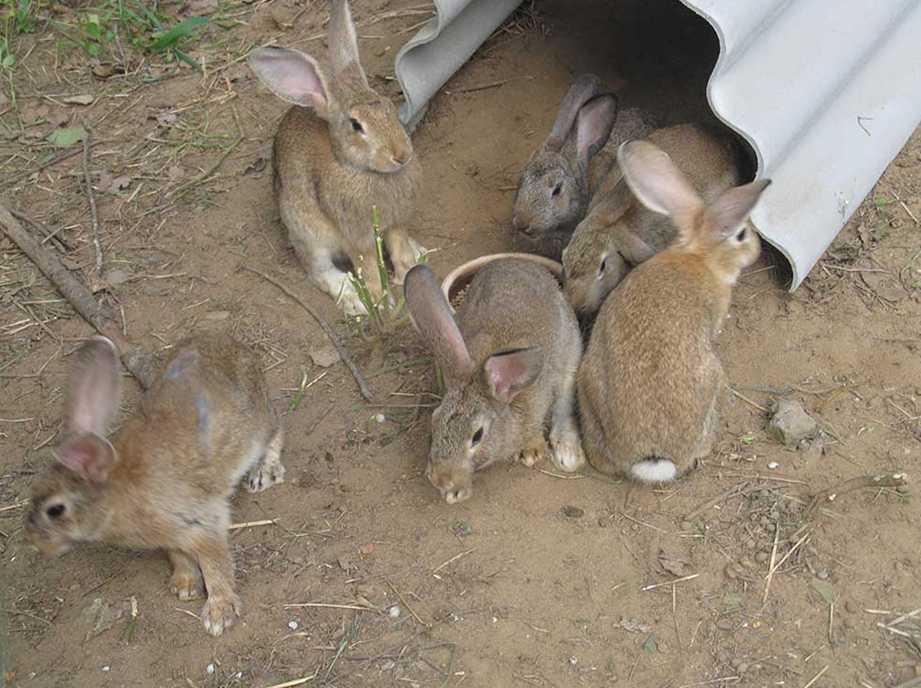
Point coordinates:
[(826, 93)]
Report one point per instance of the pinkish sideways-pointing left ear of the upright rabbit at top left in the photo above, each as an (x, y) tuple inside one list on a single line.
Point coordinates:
[(292, 76)]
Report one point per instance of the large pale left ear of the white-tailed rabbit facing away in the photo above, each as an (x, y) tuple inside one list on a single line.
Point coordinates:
[(658, 183)]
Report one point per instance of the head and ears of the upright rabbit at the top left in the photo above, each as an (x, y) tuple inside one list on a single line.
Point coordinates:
[(363, 126)]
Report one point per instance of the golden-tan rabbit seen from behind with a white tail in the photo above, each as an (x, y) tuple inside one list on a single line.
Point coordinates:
[(650, 382)]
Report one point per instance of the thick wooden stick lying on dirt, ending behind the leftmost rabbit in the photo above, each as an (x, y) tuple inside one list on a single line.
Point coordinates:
[(136, 361)]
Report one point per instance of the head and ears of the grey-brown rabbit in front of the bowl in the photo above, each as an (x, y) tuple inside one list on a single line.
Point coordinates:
[(474, 425)]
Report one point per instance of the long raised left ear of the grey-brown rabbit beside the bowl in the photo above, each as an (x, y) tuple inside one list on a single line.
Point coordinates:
[(432, 318)]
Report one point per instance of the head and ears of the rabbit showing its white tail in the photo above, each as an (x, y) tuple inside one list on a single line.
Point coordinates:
[(718, 231)]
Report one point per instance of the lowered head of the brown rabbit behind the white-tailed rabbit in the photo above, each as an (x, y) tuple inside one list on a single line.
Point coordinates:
[(605, 245)]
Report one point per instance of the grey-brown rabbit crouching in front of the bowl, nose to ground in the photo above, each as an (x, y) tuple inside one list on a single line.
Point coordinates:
[(509, 361)]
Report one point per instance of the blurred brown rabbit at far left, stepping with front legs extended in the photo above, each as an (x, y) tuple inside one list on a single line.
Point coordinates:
[(163, 481)]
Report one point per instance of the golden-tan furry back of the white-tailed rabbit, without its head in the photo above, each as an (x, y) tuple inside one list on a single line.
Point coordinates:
[(650, 379)]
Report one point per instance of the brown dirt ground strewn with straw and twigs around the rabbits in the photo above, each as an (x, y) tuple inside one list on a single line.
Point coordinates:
[(537, 580)]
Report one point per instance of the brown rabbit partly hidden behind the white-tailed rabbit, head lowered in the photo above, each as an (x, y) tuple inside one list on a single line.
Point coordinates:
[(619, 232)]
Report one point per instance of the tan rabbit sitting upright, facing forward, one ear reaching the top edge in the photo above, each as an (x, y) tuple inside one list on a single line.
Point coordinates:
[(339, 151)]
